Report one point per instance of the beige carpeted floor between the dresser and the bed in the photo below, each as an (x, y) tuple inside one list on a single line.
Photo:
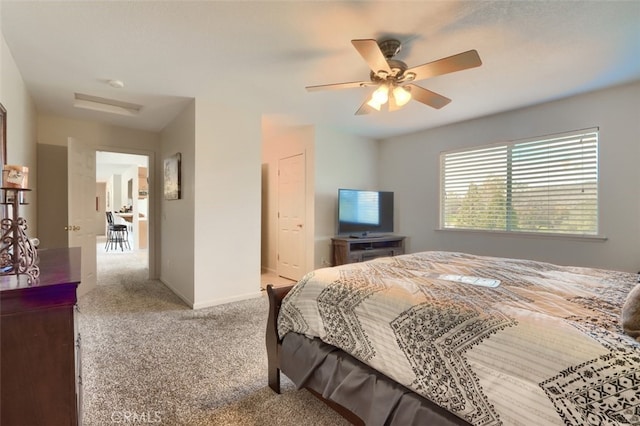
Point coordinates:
[(148, 358)]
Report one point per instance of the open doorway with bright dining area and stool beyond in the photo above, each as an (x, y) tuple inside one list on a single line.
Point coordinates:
[(122, 188)]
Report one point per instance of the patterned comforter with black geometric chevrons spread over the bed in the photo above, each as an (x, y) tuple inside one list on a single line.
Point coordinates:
[(542, 347)]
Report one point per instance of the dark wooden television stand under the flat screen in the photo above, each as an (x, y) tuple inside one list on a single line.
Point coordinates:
[(361, 249)]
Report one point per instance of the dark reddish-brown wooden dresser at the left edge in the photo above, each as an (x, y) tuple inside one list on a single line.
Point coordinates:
[(39, 344)]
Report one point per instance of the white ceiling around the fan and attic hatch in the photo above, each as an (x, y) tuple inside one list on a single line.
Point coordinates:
[(261, 55)]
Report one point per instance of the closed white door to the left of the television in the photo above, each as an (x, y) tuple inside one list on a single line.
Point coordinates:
[(291, 214)]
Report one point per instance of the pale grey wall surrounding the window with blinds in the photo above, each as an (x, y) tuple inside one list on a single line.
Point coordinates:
[(410, 166)]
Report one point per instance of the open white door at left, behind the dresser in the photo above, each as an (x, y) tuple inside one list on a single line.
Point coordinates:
[(81, 215)]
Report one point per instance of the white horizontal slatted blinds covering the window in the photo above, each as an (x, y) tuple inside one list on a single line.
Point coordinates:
[(497, 165)]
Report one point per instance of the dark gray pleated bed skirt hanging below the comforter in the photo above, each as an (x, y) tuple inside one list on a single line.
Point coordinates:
[(337, 376)]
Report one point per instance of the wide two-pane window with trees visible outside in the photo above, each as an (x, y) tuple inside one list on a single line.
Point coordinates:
[(544, 185)]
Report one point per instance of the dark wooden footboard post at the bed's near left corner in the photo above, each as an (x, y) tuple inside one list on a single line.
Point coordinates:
[(275, 296)]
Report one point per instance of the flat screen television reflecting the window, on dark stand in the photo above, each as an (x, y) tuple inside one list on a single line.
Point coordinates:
[(363, 213)]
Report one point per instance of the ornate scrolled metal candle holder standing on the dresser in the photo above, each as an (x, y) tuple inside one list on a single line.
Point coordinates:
[(18, 255)]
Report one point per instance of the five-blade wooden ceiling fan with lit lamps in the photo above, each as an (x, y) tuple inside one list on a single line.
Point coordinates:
[(394, 80)]
